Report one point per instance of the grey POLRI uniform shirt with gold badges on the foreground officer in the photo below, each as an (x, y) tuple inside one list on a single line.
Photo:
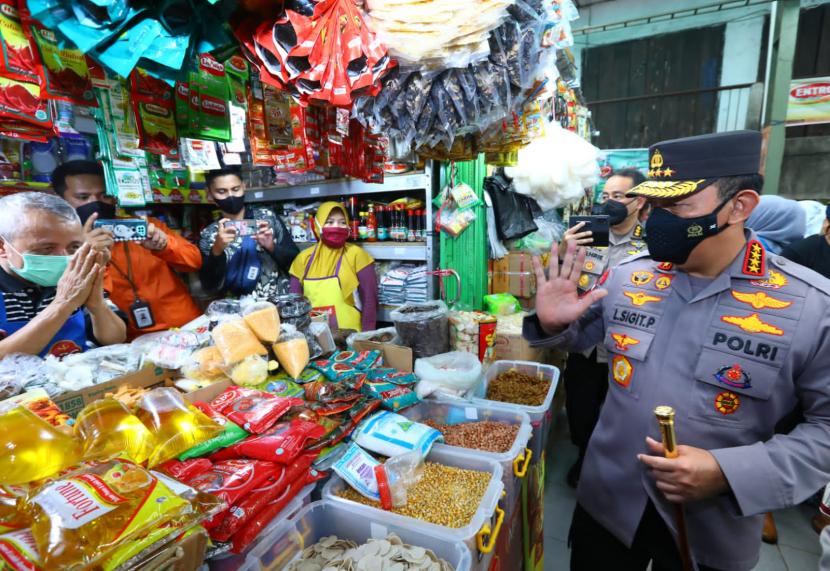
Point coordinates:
[(732, 358)]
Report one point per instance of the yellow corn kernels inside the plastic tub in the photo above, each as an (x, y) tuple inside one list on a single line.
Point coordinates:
[(445, 495)]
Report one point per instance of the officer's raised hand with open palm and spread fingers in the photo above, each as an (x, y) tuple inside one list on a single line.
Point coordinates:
[(558, 303)]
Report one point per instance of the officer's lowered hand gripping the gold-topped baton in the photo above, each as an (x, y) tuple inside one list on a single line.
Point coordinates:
[(694, 475)]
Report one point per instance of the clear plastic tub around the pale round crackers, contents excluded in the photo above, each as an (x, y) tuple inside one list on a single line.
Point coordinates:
[(320, 519)]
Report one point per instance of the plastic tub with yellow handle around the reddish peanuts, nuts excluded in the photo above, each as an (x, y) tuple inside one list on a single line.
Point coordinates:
[(514, 462)]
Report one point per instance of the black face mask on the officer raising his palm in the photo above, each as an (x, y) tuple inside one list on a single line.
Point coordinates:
[(671, 238)]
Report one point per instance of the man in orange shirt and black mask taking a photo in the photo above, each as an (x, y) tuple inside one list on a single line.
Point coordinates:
[(140, 276)]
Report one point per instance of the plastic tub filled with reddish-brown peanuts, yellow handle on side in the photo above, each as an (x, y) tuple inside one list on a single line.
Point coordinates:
[(499, 432)]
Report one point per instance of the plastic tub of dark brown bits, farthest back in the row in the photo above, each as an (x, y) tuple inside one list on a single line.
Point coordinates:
[(541, 416)]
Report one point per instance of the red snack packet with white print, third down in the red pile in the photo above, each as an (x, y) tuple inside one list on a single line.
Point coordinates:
[(231, 481)]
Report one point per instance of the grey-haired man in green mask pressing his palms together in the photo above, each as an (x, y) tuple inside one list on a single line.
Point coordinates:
[(51, 284)]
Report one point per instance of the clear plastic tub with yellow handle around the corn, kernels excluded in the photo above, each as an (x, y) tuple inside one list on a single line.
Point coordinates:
[(480, 534)]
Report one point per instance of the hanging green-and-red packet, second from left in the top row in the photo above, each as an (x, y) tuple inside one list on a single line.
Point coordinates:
[(64, 71)]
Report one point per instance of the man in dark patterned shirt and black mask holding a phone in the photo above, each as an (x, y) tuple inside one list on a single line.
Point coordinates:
[(249, 250)]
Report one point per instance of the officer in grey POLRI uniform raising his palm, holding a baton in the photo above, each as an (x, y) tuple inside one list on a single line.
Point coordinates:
[(711, 324)]
